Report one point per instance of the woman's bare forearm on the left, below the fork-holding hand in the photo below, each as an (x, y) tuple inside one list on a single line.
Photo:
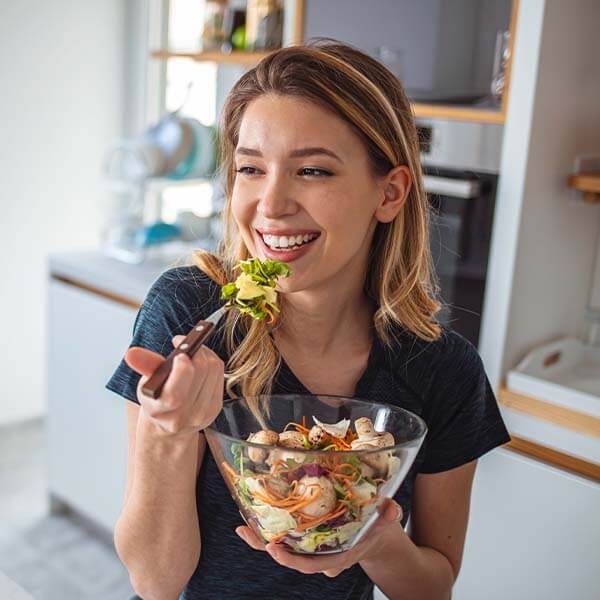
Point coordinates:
[(157, 536)]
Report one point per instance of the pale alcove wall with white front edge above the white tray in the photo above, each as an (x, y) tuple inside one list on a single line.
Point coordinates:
[(549, 241)]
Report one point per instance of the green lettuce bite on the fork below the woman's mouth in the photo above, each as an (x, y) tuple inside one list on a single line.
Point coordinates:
[(253, 292)]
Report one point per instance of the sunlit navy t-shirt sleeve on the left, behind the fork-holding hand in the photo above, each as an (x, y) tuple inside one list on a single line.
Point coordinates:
[(164, 313)]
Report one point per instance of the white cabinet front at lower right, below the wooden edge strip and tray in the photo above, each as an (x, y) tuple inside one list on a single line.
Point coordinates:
[(534, 532)]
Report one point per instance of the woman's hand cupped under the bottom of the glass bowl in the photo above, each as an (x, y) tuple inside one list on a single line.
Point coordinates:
[(331, 565)]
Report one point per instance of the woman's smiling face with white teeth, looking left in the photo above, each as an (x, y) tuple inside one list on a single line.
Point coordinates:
[(303, 192)]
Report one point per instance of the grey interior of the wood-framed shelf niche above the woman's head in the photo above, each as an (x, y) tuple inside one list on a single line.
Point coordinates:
[(439, 42)]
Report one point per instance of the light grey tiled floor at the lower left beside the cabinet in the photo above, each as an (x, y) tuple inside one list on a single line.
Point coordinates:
[(52, 556)]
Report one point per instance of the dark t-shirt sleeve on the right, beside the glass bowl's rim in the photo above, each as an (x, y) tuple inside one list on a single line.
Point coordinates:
[(463, 418)]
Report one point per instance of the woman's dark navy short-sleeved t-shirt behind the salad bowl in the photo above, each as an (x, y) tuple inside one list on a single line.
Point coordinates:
[(443, 381)]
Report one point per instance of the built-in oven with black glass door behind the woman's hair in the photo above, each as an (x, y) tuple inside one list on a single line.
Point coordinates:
[(461, 163)]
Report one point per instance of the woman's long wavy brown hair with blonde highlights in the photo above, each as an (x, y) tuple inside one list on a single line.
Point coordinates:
[(400, 280)]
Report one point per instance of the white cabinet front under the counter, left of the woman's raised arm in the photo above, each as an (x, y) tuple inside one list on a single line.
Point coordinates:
[(87, 429)]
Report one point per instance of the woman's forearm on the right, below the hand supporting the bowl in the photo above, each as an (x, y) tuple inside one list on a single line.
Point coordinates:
[(402, 570)]
